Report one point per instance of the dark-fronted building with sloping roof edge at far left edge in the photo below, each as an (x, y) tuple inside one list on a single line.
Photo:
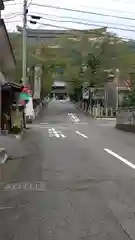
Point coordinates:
[(7, 64)]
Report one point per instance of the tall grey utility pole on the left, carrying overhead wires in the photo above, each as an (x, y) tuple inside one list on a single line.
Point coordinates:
[(24, 43)]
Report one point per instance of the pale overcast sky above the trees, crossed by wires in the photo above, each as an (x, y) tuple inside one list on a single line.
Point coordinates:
[(123, 9)]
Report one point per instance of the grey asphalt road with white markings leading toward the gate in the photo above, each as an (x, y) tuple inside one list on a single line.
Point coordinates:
[(77, 182)]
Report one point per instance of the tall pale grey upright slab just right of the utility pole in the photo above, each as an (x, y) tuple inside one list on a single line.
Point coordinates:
[(37, 82)]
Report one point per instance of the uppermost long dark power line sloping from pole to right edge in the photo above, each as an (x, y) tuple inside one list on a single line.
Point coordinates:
[(81, 11)]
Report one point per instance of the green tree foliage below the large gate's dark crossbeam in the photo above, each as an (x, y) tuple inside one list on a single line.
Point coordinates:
[(77, 57)]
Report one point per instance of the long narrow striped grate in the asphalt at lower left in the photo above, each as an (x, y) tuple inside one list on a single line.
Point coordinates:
[(26, 186)]
